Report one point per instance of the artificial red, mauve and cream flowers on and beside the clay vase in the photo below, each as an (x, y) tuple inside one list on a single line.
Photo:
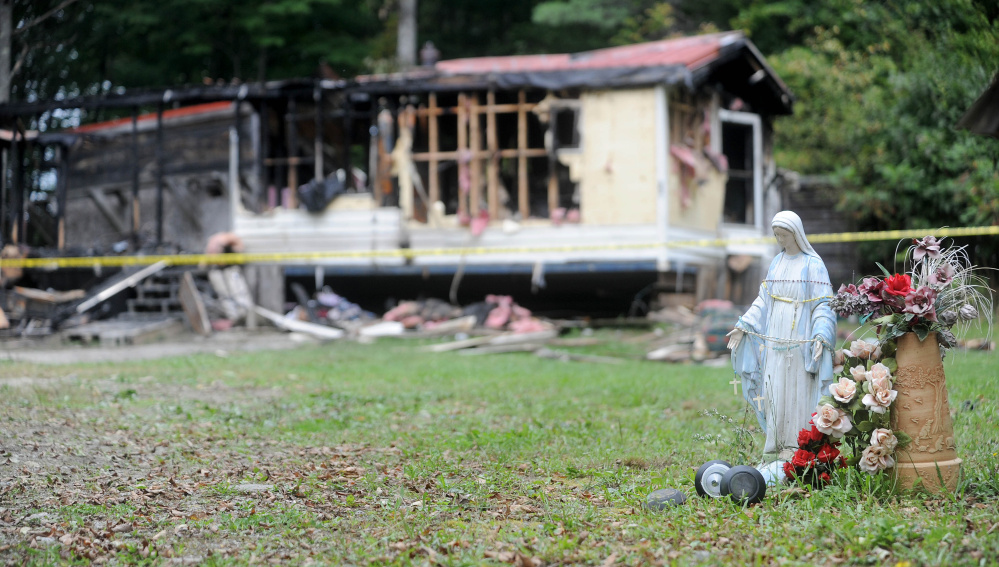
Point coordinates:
[(938, 291)]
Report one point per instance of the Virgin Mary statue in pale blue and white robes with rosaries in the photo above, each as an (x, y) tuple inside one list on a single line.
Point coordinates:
[(782, 347)]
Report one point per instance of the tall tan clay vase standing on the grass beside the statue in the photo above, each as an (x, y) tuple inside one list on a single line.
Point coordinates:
[(921, 410)]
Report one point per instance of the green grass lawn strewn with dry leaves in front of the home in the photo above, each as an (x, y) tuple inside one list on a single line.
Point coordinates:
[(384, 454)]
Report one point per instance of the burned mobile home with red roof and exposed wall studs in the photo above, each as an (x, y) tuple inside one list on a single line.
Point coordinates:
[(600, 158)]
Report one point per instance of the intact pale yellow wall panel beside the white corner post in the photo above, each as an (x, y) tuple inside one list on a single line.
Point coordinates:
[(618, 177)]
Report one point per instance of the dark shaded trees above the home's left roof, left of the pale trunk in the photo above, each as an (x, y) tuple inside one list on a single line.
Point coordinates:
[(92, 46)]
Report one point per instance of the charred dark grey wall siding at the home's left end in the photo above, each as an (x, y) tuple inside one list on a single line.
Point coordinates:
[(195, 153)]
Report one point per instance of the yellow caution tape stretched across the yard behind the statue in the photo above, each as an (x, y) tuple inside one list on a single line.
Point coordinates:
[(283, 257)]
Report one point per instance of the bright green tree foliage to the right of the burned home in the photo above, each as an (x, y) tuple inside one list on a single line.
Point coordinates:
[(880, 87)]
